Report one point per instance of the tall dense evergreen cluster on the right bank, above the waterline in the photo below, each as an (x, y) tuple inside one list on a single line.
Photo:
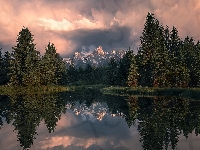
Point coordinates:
[(163, 59)]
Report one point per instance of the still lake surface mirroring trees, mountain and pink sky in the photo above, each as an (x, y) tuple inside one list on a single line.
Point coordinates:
[(93, 121)]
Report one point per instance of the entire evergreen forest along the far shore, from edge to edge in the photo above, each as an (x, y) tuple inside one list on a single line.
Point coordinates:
[(163, 60)]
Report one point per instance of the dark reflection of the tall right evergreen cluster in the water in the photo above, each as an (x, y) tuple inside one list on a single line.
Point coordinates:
[(164, 119)]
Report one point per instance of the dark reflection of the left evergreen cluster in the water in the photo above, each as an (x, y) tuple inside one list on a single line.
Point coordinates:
[(28, 111)]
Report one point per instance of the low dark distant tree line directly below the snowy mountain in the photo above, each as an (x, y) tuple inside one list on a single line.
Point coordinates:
[(115, 73)]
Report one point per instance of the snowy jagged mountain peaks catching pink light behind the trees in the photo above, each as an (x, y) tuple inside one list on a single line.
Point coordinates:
[(97, 58)]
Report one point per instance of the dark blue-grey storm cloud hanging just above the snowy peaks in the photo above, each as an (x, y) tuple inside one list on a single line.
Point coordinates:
[(113, 38)]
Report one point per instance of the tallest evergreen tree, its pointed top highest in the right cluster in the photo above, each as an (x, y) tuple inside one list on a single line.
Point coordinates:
[(152, 54)]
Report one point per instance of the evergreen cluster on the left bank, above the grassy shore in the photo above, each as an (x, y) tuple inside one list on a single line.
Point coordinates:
[(25, 67)]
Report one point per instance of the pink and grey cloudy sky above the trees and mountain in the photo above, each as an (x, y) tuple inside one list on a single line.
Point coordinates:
[(84, 25)]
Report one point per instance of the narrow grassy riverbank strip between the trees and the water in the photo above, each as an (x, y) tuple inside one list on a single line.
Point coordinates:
[(114, 90)]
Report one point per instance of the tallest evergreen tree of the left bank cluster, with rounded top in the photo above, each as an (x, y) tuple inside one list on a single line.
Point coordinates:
[(23, 59)]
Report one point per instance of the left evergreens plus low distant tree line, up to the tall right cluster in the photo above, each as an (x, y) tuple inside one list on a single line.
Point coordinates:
[(24, 66)]
